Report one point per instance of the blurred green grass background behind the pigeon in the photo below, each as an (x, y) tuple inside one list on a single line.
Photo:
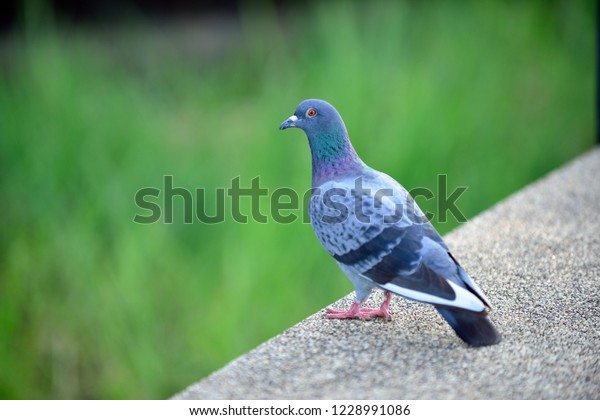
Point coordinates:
[(92, 305)]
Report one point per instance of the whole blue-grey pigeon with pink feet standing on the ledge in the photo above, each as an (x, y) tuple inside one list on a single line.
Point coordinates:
[(379, 236)]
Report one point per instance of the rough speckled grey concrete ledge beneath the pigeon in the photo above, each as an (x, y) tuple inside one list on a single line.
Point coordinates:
[(537, 257)]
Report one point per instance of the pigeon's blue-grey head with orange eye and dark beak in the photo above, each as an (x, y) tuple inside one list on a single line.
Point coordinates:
[(316, 117)]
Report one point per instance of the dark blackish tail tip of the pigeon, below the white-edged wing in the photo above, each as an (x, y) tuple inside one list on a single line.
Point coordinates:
[(473, 328)]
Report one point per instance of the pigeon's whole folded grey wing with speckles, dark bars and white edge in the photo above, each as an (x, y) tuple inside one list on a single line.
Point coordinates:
[(376, 231)]
